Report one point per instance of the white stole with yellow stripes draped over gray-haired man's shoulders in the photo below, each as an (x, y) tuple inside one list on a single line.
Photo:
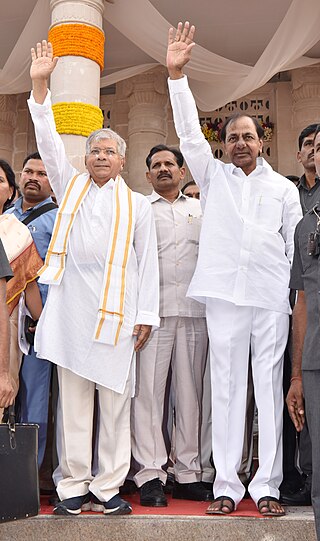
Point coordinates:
[(110, 314)]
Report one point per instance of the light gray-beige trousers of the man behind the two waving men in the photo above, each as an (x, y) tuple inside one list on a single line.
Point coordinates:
[(182, 343)]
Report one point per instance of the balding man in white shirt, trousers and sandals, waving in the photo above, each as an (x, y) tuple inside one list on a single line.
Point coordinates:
[(246, 246)]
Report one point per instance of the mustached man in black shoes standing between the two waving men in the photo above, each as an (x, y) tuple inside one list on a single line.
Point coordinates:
[(181, 342)]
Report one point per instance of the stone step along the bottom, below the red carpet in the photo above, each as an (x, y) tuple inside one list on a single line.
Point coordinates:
[(297, 525)]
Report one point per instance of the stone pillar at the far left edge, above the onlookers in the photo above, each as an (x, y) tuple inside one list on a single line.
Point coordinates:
[(8, 106)]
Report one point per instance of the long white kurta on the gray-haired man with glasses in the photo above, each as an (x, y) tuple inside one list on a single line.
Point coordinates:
[(66, 327)]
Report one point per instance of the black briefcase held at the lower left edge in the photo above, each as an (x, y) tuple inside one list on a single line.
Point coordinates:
[(19, 485)]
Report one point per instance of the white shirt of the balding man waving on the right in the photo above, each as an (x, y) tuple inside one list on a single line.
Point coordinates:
[(246, 242)]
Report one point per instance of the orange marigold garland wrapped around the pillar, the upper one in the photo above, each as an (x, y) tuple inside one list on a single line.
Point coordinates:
[(78, 40)]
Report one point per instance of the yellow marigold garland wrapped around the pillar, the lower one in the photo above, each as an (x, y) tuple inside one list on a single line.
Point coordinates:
[(77, 118)]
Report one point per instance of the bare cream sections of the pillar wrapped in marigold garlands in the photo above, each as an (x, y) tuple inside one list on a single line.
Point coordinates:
[(76, 78)]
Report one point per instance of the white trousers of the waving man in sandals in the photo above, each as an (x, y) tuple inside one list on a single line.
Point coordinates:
[(233, 330)]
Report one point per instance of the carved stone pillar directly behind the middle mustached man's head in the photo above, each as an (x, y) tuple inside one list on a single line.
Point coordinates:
[(147, 122)]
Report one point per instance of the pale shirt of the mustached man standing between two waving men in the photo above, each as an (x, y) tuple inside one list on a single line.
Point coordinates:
[(178, 230)]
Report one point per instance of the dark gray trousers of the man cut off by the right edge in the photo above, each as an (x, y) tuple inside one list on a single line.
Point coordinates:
[(311, 386)]
